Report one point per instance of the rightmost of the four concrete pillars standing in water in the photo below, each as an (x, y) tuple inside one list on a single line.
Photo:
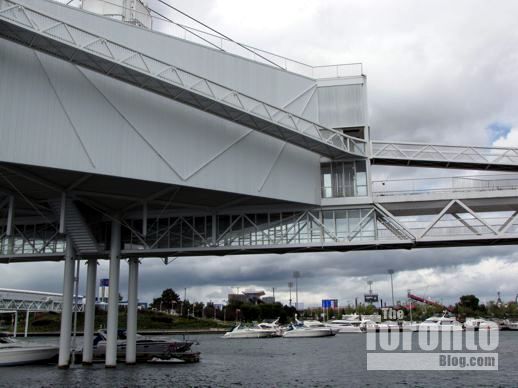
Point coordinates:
[(131, 333)]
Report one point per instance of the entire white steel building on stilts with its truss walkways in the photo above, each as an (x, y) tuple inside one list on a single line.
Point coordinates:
[(122, 139)]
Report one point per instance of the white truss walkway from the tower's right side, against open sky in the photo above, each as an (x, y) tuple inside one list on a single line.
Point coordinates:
[(444, 156)]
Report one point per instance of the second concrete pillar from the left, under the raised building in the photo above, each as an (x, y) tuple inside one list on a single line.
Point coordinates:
[(91, 279)]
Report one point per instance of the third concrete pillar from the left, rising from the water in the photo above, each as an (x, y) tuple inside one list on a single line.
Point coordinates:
[(113, 297)]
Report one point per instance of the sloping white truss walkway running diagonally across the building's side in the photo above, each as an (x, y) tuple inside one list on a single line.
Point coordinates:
[(63, 40)]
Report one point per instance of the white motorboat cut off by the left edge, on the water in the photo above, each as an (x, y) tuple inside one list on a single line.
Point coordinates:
[(13, 352)]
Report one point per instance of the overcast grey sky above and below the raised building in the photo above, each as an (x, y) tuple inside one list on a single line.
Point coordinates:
[(438, 71)]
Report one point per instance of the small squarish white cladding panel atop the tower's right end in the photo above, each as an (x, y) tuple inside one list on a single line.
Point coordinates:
[(342, 106)]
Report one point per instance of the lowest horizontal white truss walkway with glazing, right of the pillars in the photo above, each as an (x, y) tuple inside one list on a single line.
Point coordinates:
[(340, 228)]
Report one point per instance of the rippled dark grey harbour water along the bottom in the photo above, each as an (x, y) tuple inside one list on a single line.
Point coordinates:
[(309, 362)]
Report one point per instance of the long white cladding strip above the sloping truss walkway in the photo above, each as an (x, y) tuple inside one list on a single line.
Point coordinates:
[(266, 83)]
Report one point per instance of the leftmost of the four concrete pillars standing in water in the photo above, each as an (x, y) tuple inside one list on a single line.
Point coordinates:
[(66, 312)]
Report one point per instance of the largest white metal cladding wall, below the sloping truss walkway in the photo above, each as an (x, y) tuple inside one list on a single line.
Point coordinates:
[(57, 115)]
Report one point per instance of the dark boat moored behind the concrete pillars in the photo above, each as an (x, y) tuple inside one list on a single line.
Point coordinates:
[(147, 348)]
